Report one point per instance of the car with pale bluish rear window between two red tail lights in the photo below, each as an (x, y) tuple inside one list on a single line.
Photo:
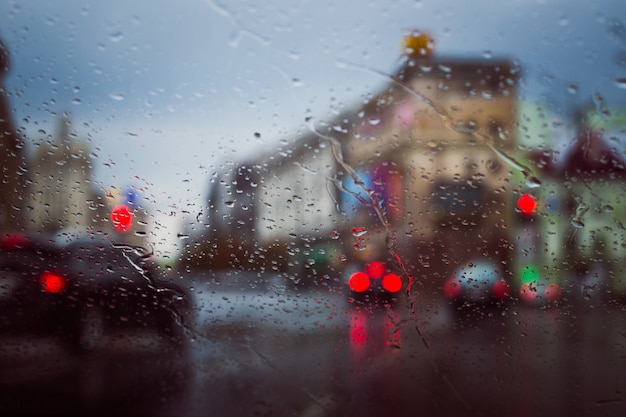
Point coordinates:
[(477, 283)]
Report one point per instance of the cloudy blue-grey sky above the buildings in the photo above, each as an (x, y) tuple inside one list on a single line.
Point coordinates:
[(165, 91)]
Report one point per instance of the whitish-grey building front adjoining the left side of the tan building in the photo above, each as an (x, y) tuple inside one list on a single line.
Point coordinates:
[(257, 210)]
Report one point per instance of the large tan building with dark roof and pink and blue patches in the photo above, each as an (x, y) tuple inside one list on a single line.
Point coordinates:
[(432, 150)]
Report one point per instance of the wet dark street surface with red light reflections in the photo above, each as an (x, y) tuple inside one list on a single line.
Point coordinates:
[(268, 351)]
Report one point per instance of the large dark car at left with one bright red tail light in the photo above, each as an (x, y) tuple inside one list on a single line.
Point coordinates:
[(84, 289)]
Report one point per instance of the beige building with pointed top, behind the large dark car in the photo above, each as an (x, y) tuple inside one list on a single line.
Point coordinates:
[(61, 198)]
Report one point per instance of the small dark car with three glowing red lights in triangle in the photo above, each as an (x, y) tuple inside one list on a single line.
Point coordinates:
[(374, 282)]
